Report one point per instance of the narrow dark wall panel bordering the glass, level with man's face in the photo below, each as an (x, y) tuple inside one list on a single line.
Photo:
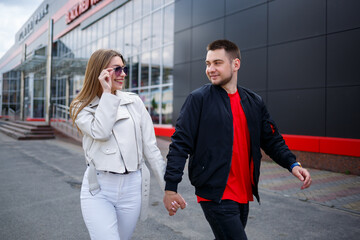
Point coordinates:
[(182, 75)]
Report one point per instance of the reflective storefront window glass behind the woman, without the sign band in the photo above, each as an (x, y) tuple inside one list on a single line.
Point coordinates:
[(141, 30)]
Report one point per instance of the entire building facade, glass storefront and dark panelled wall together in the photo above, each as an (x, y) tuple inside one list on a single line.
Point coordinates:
[(301, 56)]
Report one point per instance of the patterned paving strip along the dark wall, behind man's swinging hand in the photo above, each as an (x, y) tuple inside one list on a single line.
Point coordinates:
[(331, 189)]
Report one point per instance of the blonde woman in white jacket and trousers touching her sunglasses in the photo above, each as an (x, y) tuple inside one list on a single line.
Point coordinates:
[(118, 135)]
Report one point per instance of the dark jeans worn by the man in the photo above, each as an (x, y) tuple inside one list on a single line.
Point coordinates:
[(227, 219)]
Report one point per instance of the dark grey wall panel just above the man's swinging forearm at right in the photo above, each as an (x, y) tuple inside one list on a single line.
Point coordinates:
[(298, 111)]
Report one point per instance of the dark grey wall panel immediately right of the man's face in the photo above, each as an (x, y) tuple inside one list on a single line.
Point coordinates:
[(252, 73)]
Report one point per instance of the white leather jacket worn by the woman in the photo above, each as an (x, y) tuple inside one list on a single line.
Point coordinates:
[(118, 134)]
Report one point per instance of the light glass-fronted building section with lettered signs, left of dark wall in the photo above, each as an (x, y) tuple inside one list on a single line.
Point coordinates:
[(142, 30)]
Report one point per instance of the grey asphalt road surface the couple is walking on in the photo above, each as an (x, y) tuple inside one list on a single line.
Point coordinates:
[(39, 199)]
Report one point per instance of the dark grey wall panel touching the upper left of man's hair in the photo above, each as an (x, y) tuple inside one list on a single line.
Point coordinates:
[(205, 34)]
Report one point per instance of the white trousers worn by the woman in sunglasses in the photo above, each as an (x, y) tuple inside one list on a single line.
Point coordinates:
[(112, 214)]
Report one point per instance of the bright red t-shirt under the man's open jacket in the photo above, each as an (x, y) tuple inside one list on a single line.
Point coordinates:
[(238, 187)]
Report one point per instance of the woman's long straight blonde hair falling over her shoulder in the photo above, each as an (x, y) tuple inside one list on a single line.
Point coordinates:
[(98, 61)]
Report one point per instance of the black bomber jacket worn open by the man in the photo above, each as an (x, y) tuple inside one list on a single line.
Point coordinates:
[(204, 133)]
